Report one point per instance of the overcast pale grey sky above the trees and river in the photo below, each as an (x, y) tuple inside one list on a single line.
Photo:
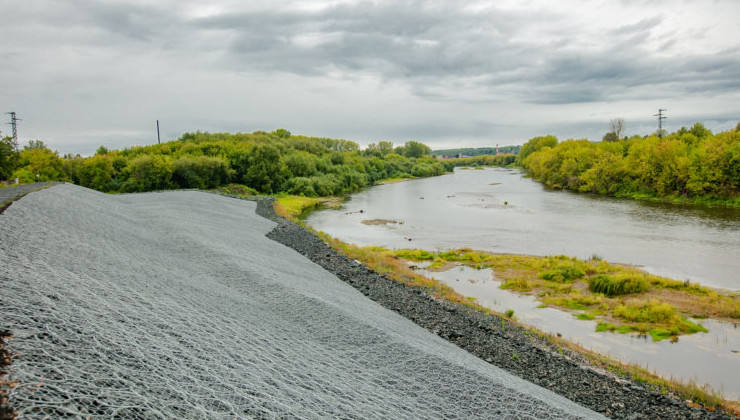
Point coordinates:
[(83, 73)]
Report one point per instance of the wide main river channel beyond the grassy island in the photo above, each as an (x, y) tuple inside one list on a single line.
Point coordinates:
[(499, 210)]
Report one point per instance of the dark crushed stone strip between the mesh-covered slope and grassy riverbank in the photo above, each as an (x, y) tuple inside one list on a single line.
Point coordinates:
[(491, 338)]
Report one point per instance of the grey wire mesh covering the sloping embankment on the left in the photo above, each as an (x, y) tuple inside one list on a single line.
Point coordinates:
[(175, 305)]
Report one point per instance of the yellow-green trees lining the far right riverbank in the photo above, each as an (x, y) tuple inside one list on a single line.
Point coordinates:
[(691, 164)]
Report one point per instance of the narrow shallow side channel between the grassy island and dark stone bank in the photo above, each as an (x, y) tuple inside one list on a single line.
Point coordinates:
[(703, 357)]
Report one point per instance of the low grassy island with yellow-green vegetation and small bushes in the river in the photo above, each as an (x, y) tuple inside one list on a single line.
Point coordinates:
[(622, 298)]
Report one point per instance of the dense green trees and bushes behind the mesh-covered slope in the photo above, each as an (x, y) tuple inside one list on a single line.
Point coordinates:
[(270, 163)]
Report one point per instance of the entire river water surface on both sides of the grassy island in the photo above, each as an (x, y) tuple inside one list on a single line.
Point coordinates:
[(499, 210)]
